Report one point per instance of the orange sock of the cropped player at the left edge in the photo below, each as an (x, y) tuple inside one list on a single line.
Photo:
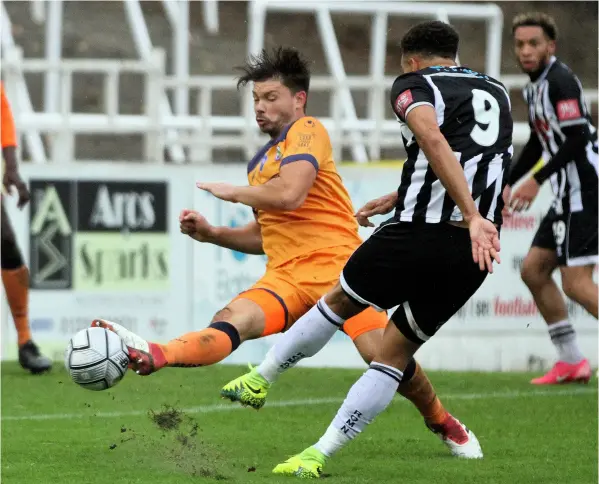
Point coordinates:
[(16, 286)]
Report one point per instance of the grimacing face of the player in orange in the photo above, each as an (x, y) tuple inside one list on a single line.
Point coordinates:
[(276, 106)]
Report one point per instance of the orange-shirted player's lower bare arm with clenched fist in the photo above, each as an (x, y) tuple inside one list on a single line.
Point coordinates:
[(246, 239)]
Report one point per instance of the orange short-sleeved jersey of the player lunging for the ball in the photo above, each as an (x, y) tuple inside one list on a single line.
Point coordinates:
[(326, 218)]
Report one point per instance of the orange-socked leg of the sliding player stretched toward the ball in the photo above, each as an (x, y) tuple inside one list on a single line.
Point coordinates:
[(241, 320)]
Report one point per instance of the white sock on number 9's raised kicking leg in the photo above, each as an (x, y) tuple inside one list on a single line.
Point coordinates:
[(305, 338)]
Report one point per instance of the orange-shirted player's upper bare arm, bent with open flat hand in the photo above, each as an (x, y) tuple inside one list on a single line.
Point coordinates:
[(286, 192)]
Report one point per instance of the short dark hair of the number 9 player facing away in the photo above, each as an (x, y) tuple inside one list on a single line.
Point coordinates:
[(431, 39)]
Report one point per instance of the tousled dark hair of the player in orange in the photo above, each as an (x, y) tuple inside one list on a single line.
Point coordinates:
[(283, 63)]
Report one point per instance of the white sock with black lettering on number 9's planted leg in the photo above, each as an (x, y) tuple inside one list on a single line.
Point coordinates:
[(368, 397)]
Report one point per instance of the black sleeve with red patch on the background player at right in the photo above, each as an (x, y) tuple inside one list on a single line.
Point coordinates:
[(565, 95)]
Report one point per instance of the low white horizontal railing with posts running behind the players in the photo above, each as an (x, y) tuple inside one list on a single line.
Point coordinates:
[(201, 132)]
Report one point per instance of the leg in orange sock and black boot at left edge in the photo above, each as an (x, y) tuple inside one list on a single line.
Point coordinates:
[(15, 278)]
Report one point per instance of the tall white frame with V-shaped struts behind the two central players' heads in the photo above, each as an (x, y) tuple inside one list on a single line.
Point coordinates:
[(380, 12)]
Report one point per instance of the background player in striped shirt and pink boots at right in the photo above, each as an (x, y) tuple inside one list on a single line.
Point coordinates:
[(563, 133)]
